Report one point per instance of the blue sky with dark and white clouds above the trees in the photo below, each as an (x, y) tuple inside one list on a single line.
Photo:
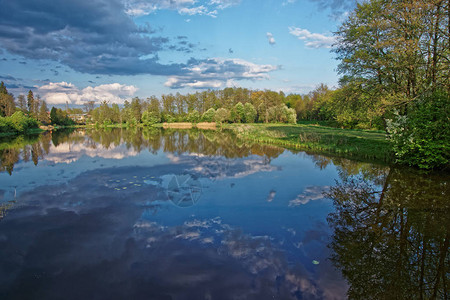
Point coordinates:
[(113, 50)]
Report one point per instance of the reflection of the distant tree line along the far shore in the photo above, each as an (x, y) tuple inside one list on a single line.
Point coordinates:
[(210, 143)]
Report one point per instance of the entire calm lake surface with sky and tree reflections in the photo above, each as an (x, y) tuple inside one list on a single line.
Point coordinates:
[(200, 215)]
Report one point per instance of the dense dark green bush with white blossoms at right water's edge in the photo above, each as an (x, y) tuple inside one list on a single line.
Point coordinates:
[(422, 137)]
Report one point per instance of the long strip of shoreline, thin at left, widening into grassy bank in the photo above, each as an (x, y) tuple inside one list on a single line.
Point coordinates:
[(348, 143)]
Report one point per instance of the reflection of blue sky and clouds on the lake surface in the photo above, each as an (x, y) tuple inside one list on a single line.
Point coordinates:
[(87, 225)]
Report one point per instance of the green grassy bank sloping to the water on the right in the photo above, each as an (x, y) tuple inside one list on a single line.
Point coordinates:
[(358, 144)]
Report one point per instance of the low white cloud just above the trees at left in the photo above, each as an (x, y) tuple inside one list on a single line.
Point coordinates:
[(62, 92)]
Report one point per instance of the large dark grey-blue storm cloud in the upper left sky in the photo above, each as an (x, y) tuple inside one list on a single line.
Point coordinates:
[(90, 36)]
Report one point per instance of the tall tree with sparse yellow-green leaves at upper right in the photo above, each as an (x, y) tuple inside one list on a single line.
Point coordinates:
[(396, 50)]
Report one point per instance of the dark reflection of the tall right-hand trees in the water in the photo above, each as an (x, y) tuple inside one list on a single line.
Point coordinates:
[(391, 239)]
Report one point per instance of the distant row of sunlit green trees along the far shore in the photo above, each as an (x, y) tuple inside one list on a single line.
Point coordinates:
[(230, 105)]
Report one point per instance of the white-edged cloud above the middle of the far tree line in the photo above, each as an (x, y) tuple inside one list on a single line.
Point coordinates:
[(217, 72)]
